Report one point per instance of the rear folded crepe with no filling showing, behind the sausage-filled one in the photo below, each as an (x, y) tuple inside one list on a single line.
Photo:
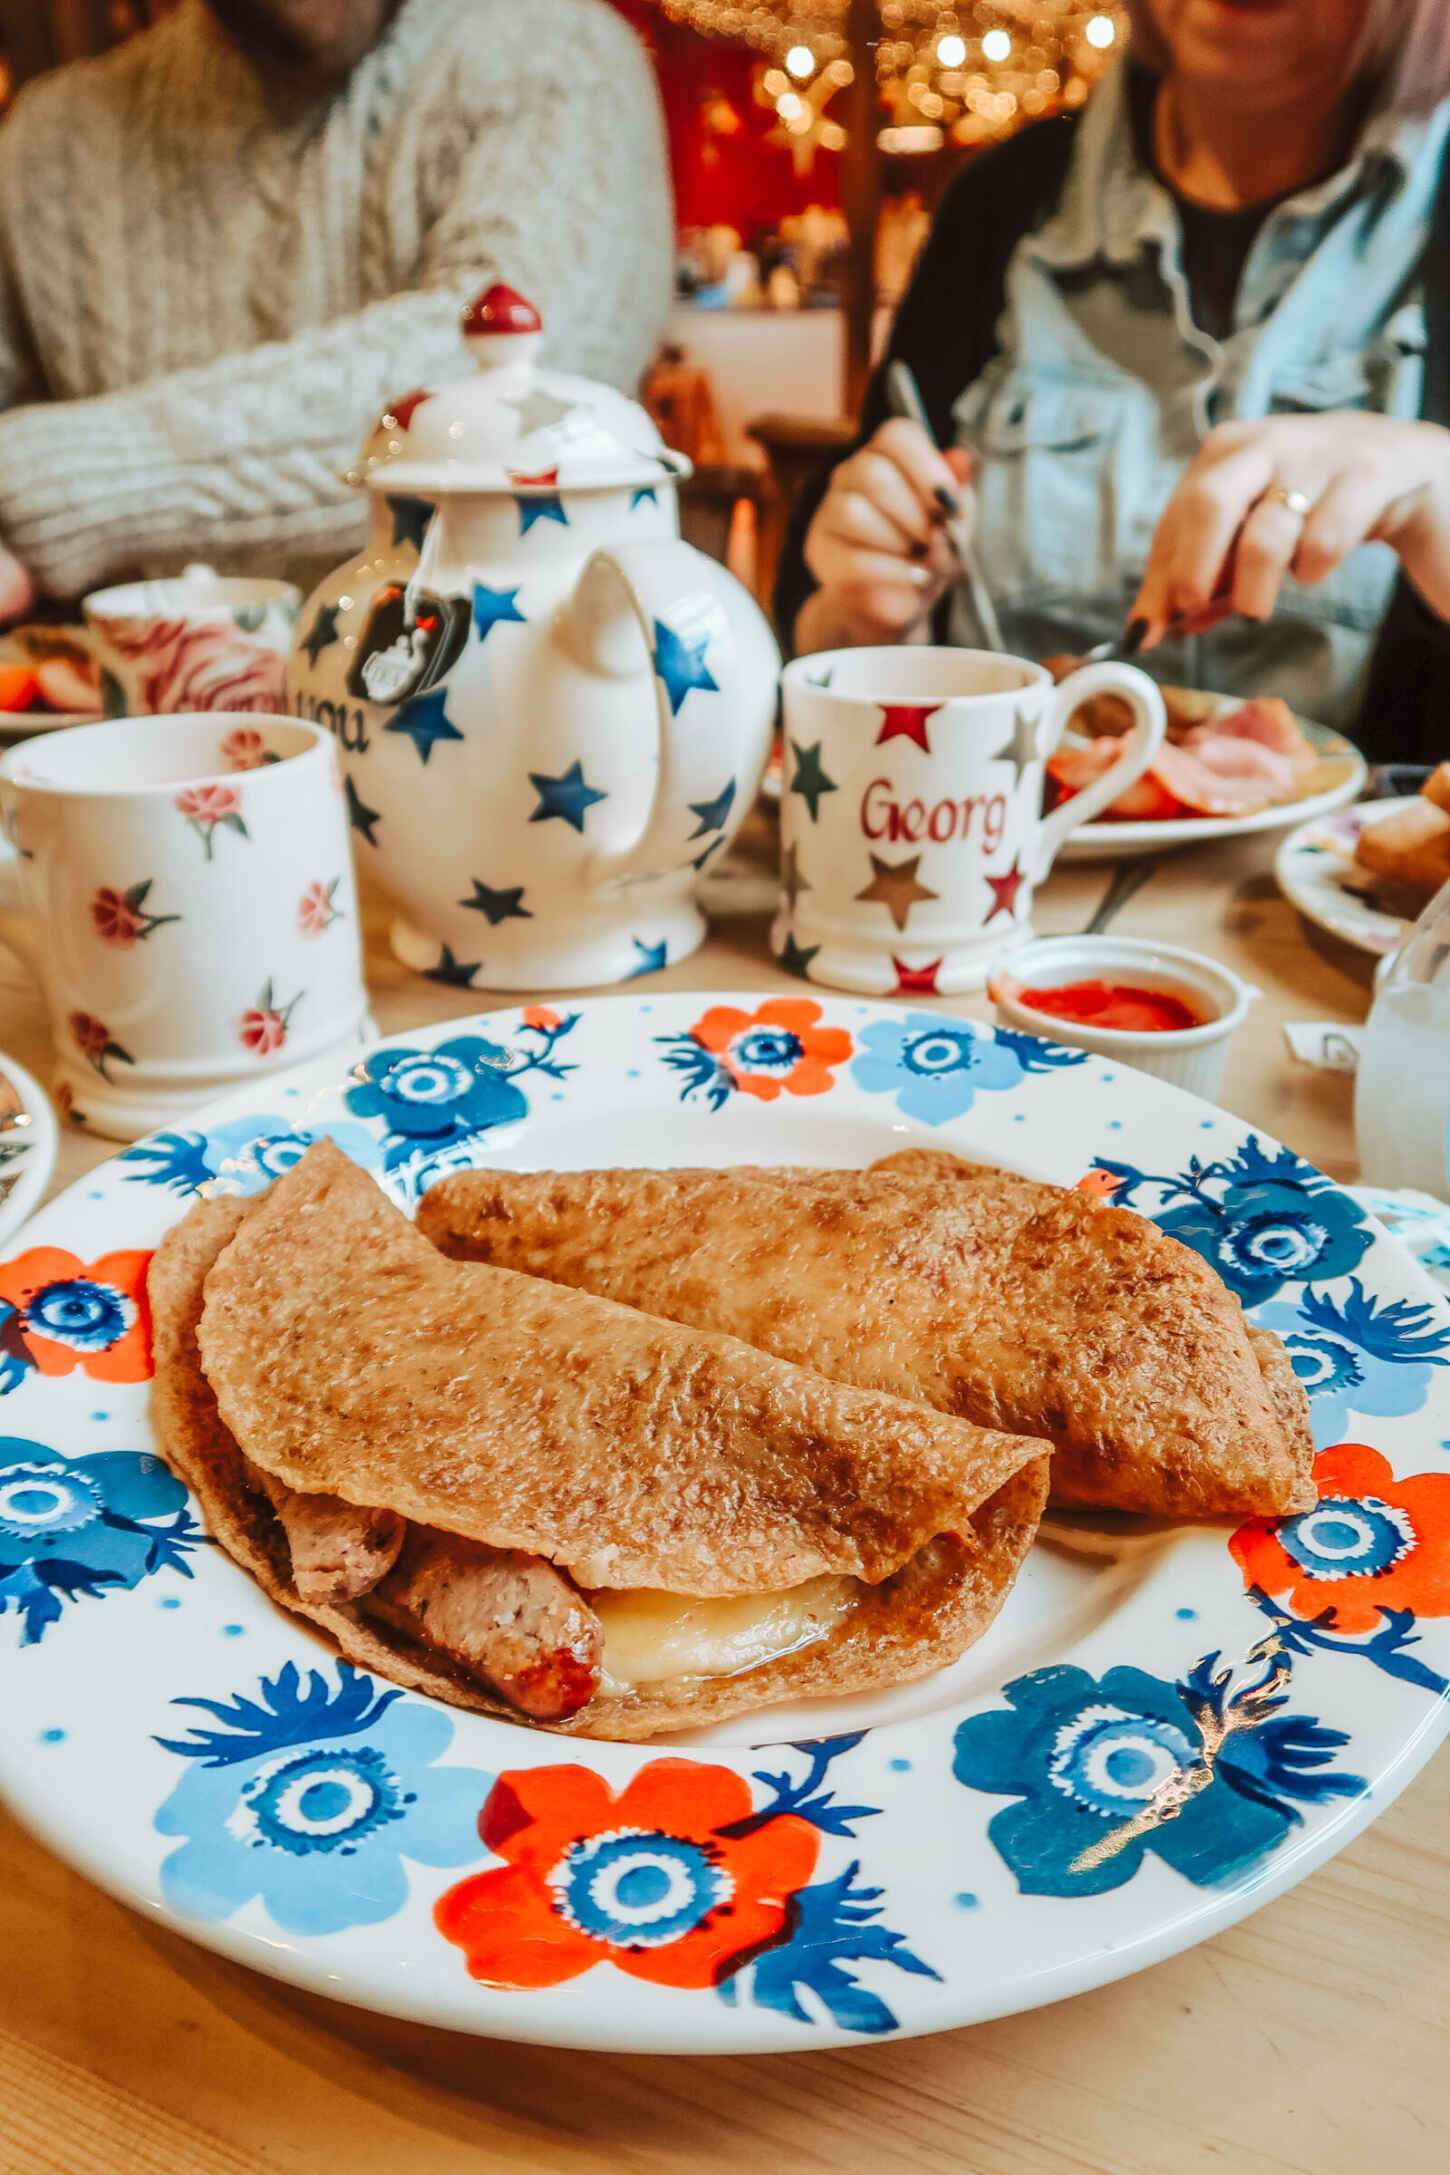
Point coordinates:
[(995, 1297)]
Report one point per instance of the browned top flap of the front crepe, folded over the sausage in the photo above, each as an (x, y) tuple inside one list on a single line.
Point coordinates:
[(351, 1358)]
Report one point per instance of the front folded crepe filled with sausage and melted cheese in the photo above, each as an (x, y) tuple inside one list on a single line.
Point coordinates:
[(547, 1504)]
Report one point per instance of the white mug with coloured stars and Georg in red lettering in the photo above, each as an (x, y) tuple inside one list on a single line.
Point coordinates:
[(912, 821)]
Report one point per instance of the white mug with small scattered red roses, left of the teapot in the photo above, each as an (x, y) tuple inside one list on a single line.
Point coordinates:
[(184, 891)]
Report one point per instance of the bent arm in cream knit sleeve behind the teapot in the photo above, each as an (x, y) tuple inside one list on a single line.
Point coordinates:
[(240, 460)]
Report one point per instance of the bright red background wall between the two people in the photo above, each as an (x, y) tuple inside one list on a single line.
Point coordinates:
[(736, 179)]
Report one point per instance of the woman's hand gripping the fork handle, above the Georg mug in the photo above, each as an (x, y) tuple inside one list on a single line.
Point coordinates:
[(877, 545)]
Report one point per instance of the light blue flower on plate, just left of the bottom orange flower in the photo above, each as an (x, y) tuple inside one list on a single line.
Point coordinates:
[(312, 1798)]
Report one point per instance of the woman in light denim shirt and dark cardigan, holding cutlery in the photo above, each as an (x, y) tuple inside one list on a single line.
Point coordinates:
[(1192, 351)]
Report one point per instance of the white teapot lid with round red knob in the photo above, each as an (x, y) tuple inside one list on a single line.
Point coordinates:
[(514, 427)]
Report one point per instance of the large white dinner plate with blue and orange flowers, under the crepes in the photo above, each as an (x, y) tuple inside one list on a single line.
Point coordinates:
[(1164, 1730)]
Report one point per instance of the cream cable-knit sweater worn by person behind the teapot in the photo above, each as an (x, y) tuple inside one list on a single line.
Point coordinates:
[(205, 301)]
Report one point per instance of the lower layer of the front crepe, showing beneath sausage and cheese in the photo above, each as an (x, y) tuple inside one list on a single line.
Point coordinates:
[(914, 1624)]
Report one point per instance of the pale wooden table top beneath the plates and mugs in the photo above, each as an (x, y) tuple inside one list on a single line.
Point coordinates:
[(1308, 2041)]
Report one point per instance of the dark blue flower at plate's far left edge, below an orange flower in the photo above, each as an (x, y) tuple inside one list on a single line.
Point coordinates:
[(75, 1528)]
